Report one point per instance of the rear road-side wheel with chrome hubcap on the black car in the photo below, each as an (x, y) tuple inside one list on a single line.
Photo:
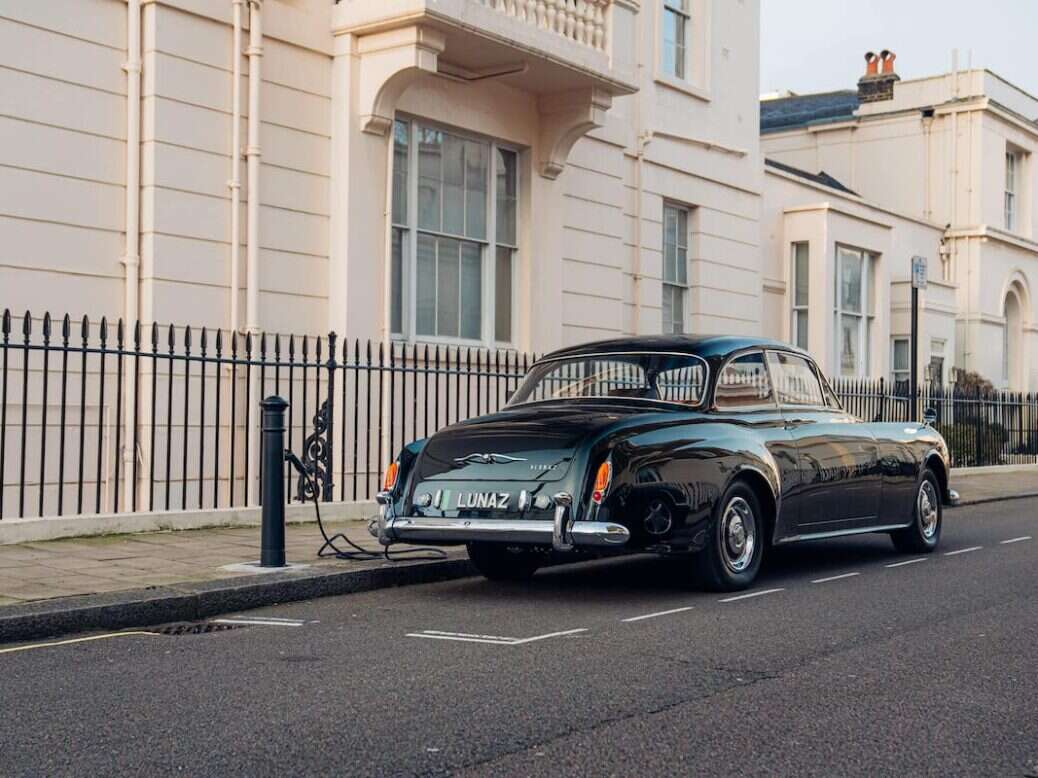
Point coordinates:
[(733, 555)]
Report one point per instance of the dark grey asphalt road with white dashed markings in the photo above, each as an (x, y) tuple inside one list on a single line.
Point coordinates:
[(849, 660)]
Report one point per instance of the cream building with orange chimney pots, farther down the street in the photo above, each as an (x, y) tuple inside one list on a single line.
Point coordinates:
[(949, 160)]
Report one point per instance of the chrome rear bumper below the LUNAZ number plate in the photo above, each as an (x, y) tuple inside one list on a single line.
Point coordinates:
[(561, 535)]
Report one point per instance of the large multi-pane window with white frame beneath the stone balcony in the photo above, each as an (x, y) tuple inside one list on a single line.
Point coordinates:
[(455, 237)]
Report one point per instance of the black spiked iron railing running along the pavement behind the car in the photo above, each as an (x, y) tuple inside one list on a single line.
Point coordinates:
[(97, 419)]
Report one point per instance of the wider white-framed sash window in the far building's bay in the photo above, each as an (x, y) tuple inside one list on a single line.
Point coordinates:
[(854, 313)]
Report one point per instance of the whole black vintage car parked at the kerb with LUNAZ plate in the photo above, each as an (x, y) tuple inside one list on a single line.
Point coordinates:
[(714, 449)]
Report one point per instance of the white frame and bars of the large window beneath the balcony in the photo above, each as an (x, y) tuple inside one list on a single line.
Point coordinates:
[(488, 245)]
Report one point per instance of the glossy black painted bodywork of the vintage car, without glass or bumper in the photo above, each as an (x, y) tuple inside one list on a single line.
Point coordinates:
[(817, 470)]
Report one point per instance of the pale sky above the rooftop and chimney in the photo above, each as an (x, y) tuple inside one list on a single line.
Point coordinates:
[(820, 45)]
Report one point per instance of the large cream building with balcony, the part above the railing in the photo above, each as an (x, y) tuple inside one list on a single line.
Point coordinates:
[(516, 174)]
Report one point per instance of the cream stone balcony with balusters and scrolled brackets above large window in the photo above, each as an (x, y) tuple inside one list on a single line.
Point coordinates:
[(575, 55)]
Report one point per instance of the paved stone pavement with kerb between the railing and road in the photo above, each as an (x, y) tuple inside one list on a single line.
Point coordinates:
[(56, 588)]
